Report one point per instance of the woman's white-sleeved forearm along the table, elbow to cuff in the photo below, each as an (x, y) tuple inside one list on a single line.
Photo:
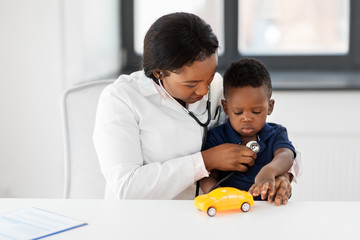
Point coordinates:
[(151, 181)]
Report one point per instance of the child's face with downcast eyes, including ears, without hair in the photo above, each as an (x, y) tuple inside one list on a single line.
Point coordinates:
[(247, 108)]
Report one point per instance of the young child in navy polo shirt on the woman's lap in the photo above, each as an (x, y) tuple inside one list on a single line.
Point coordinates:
[(247, 92)]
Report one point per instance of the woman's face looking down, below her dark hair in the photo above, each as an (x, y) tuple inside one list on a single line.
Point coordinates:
[(191, 83)]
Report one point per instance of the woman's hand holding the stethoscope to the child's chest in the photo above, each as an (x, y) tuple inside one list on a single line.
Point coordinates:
[(229, 157)]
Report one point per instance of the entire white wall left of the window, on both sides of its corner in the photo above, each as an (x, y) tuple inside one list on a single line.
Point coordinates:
[(46, 46)]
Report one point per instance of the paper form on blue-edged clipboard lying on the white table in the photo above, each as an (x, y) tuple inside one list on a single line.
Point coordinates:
[(34, 223)]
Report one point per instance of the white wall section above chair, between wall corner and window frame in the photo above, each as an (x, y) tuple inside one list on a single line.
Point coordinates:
[(91, 39)]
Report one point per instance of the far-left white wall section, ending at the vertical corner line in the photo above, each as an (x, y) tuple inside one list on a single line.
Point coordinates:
[(30, 86)]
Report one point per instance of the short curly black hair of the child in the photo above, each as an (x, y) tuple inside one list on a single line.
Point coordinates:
[(247, 72)]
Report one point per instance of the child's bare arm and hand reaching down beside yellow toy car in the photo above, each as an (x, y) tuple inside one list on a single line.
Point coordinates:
[(265, 179)]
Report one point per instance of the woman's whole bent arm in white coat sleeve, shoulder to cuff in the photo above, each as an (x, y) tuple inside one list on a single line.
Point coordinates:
[(118, 146)]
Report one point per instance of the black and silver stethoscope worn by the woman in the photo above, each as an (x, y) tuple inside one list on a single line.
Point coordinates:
[(253, 145)]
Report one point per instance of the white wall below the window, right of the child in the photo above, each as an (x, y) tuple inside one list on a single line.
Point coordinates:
[(324, 127)]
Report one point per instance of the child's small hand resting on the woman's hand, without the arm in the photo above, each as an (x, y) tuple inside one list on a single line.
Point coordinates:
[(264, 184)]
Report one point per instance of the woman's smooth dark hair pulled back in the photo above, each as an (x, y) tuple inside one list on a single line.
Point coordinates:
[(176, 40)]
